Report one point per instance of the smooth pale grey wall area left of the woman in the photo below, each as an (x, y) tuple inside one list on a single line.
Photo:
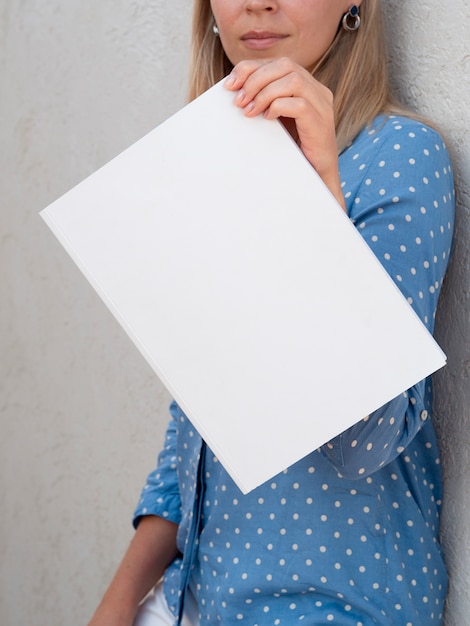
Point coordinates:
[(82, 415)]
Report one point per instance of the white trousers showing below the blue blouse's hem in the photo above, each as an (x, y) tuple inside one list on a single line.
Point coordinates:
[(154, 610)]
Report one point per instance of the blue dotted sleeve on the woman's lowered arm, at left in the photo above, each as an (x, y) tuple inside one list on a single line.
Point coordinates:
[(160, 495)]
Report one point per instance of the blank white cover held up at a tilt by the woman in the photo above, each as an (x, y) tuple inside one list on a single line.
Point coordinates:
[(232, 268)]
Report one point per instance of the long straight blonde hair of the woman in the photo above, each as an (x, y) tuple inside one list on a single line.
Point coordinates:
[(354, 68)]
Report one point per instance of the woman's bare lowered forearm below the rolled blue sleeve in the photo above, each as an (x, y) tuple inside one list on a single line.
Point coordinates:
[(151, 550)]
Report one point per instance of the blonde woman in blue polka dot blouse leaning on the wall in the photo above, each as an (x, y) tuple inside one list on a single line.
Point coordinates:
[(348, 535)]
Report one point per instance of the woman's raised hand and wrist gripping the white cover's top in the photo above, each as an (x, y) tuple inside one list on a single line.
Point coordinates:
[(283, 89)]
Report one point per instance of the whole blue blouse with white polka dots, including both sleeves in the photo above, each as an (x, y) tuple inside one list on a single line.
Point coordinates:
[(348, 535)]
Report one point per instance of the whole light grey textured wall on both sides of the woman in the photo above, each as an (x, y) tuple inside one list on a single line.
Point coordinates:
[(82, 416)]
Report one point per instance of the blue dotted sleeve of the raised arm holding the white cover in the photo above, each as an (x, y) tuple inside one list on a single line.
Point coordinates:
[(399, 189)]
